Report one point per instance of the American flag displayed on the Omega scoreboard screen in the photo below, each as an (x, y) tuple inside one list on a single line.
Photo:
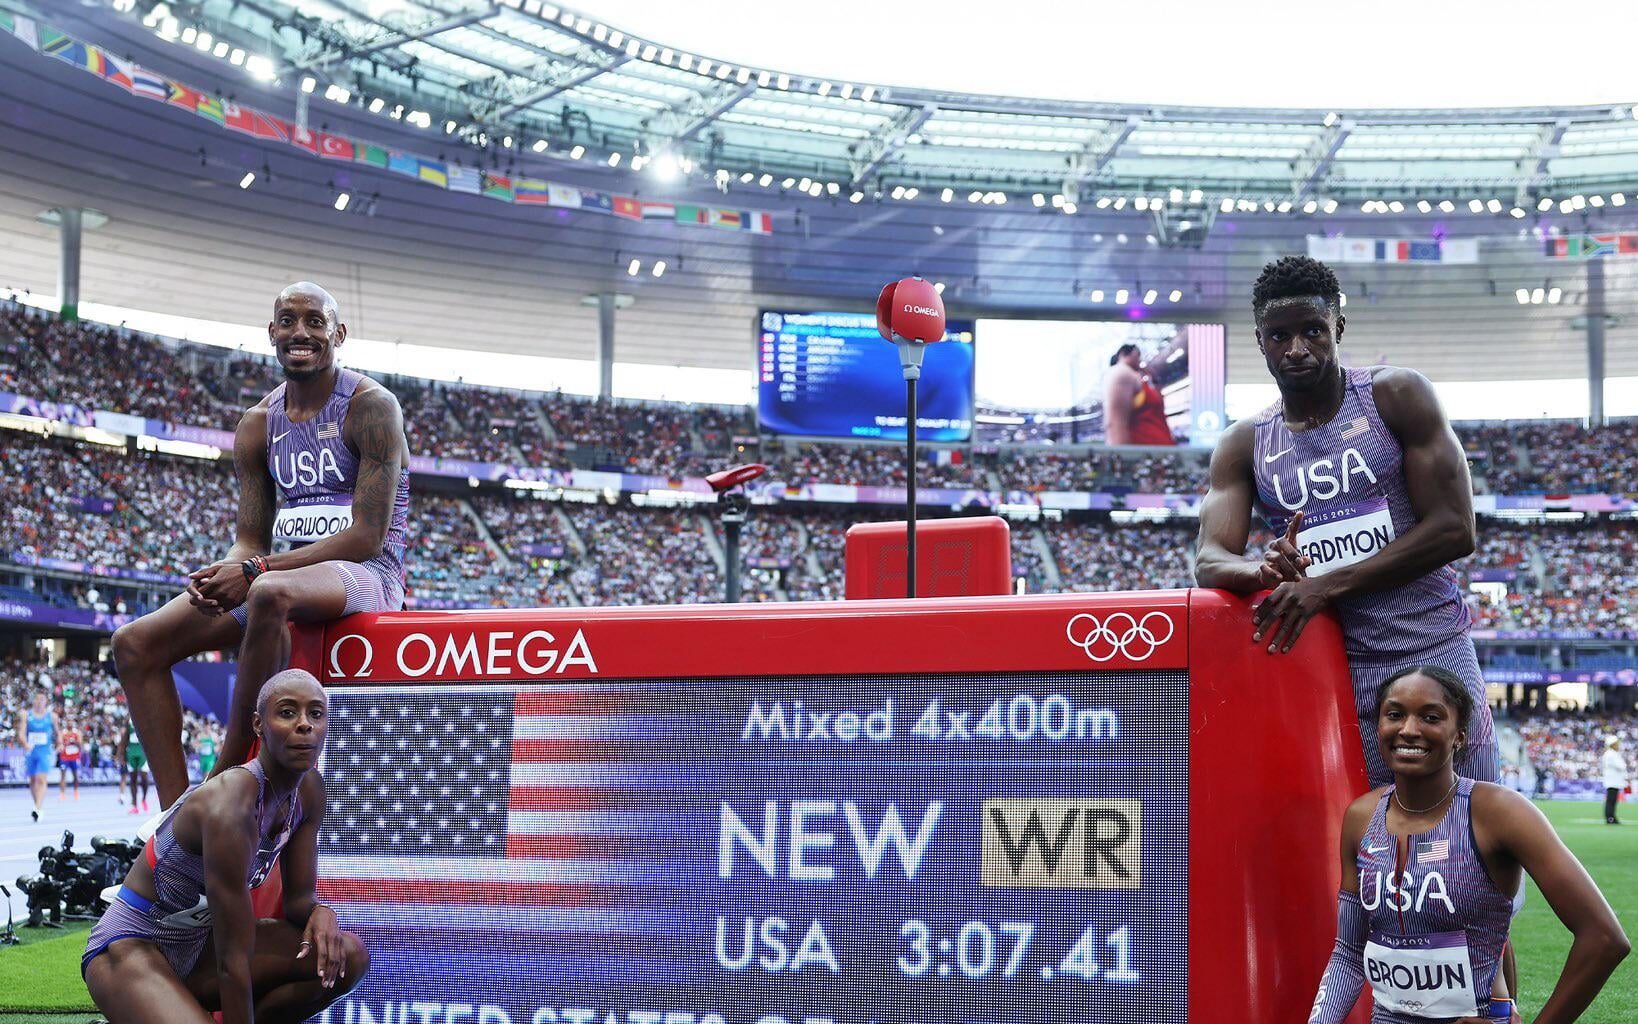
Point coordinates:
[(500, 810)]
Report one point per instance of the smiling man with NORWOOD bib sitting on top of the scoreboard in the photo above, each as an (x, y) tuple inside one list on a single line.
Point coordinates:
[(324, 464)]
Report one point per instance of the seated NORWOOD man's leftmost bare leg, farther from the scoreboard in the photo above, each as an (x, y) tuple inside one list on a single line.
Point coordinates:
[(143, 653)]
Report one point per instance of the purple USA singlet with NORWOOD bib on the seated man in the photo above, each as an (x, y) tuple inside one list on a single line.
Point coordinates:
[(317, 474)]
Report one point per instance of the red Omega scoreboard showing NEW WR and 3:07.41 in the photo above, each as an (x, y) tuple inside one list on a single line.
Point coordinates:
[(1080, 809)]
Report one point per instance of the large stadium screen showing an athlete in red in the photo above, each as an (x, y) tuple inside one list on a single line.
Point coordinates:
[(1056, 373)]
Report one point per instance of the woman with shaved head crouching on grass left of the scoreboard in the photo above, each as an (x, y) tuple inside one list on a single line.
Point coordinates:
[(192, 886)]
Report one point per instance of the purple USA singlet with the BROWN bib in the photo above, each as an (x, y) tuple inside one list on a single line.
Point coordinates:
[(1437, 922)]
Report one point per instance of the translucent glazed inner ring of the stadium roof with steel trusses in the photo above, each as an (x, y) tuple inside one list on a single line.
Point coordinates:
[(514, 75)]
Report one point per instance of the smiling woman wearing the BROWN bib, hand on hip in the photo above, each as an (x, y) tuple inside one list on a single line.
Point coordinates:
[(1429, 868)]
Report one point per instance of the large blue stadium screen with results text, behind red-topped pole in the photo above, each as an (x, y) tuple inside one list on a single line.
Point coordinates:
[(833, 376)]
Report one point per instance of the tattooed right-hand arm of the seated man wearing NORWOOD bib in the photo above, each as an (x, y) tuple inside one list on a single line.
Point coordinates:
[(376, 430)]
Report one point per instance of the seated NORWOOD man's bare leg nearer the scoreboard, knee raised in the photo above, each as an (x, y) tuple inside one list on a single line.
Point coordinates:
[(312, 594)]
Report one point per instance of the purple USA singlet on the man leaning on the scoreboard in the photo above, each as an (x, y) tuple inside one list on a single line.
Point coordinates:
[(1349, 481)]
